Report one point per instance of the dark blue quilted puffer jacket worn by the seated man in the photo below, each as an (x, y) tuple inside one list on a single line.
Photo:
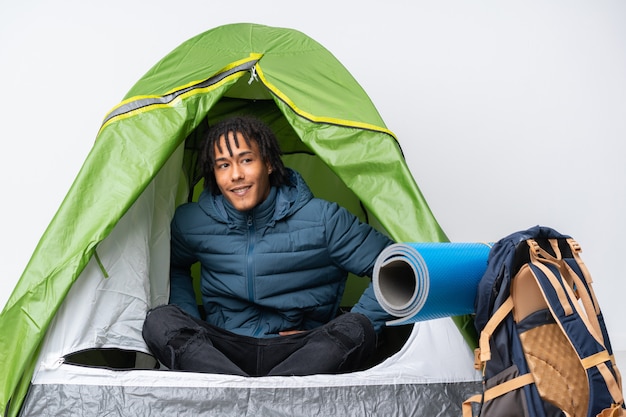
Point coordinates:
[(281, 266)]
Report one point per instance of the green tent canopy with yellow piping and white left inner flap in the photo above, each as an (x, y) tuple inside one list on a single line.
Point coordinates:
[(102, 262)]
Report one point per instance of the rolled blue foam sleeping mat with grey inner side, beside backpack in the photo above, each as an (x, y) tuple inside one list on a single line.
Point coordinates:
[(425, 281)]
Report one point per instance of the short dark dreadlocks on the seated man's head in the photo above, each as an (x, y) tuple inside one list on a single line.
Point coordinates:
[(251, 129)]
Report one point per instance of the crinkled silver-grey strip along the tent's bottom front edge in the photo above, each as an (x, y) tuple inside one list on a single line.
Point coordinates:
[(436, 399)]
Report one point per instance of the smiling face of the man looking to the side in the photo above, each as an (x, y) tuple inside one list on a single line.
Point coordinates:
[(243, 177)]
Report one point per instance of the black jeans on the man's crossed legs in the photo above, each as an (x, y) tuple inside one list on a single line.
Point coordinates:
[(182, 342)]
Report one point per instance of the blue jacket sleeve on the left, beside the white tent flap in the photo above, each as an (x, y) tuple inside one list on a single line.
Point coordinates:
[(182, 293)]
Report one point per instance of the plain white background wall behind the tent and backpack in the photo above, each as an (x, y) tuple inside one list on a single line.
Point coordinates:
[(510, 113)]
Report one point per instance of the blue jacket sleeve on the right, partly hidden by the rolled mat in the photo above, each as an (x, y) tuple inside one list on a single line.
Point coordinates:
[(355, 246)]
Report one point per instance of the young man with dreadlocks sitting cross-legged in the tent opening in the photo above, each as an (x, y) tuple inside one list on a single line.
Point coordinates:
[(274, 263)]
